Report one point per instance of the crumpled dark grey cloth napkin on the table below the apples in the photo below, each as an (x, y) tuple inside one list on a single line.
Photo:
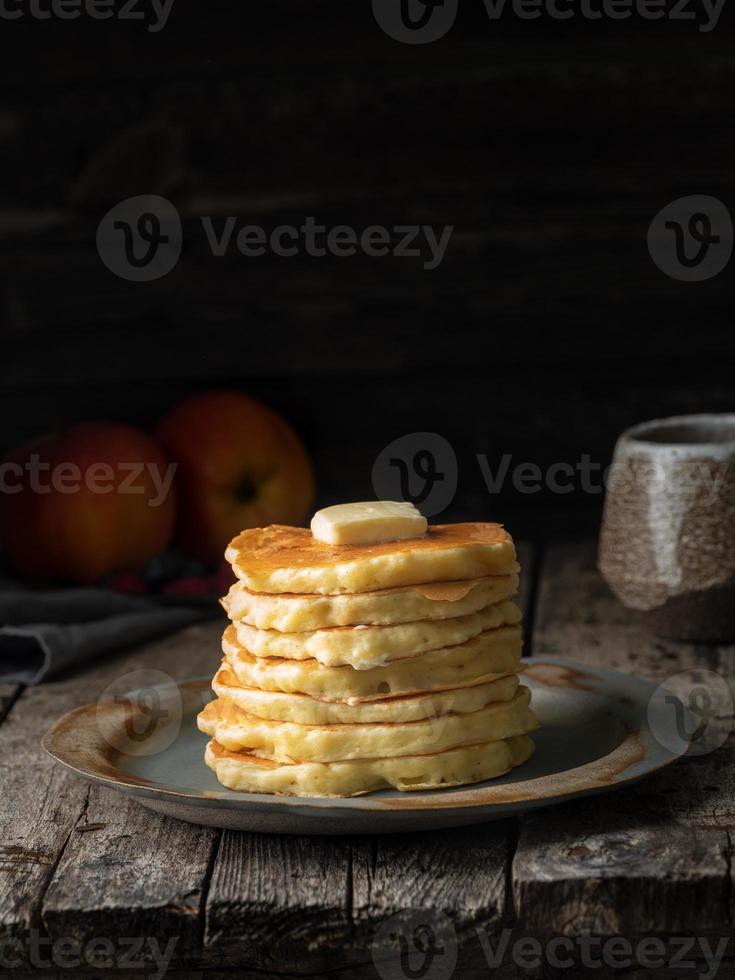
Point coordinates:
[(44, 633)]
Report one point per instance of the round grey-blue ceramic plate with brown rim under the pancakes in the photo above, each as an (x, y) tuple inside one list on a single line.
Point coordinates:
[(599, 730)]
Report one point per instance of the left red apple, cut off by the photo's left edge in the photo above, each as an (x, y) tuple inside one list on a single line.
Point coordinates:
[(80, 504)]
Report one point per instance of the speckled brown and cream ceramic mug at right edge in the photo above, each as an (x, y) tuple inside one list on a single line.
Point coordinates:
[(667, 544)]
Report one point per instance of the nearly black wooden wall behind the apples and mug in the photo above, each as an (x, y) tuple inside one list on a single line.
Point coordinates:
[(549, 146)]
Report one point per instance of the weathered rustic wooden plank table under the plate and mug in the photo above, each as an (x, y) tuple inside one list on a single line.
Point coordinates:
[(82, 865)]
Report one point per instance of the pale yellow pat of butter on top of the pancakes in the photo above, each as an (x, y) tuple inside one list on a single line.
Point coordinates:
[(368, 523)]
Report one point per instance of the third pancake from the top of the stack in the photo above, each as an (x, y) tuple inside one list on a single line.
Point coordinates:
[(364, 647)]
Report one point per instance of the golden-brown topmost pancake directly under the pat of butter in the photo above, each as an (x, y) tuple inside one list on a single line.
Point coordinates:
[(289, 559)]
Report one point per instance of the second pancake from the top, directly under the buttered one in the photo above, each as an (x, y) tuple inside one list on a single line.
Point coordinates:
[(290, 612)]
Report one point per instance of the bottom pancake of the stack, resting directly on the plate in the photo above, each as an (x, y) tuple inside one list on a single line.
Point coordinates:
[(471, 764)]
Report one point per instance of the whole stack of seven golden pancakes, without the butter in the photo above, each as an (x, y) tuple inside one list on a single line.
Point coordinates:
[(351, 668)]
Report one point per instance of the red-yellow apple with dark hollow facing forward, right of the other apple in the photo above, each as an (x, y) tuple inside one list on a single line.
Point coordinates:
[(239, 465)]
